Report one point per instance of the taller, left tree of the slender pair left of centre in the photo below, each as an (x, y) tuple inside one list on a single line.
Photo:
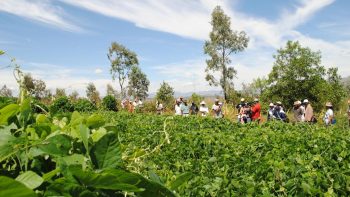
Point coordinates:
[(122, 59)]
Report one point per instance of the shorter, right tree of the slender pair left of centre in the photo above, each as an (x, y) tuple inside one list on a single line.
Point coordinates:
[(138, 83)]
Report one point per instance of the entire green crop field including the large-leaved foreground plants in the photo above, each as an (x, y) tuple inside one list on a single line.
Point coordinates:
[(122, 154)]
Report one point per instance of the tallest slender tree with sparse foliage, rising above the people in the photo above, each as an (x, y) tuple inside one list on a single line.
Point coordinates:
[(223, 43)]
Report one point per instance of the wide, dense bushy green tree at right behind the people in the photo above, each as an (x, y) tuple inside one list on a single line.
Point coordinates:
[(297, 74)]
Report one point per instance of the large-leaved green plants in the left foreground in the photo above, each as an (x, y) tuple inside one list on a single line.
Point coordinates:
[(50, 156)]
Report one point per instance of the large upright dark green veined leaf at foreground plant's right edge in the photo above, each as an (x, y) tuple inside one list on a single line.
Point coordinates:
[(106, 152)]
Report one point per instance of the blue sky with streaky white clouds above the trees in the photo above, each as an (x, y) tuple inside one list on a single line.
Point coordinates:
[(65, 42)]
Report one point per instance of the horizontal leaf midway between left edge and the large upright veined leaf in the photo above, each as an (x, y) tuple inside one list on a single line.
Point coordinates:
[(57, 145)]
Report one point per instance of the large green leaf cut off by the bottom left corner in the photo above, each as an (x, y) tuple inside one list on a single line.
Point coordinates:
[(10, 187)]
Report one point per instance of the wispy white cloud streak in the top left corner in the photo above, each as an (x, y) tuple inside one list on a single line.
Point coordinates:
[(42, 11)]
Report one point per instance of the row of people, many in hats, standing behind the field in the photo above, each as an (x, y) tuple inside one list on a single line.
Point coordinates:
[(251, 111)]
